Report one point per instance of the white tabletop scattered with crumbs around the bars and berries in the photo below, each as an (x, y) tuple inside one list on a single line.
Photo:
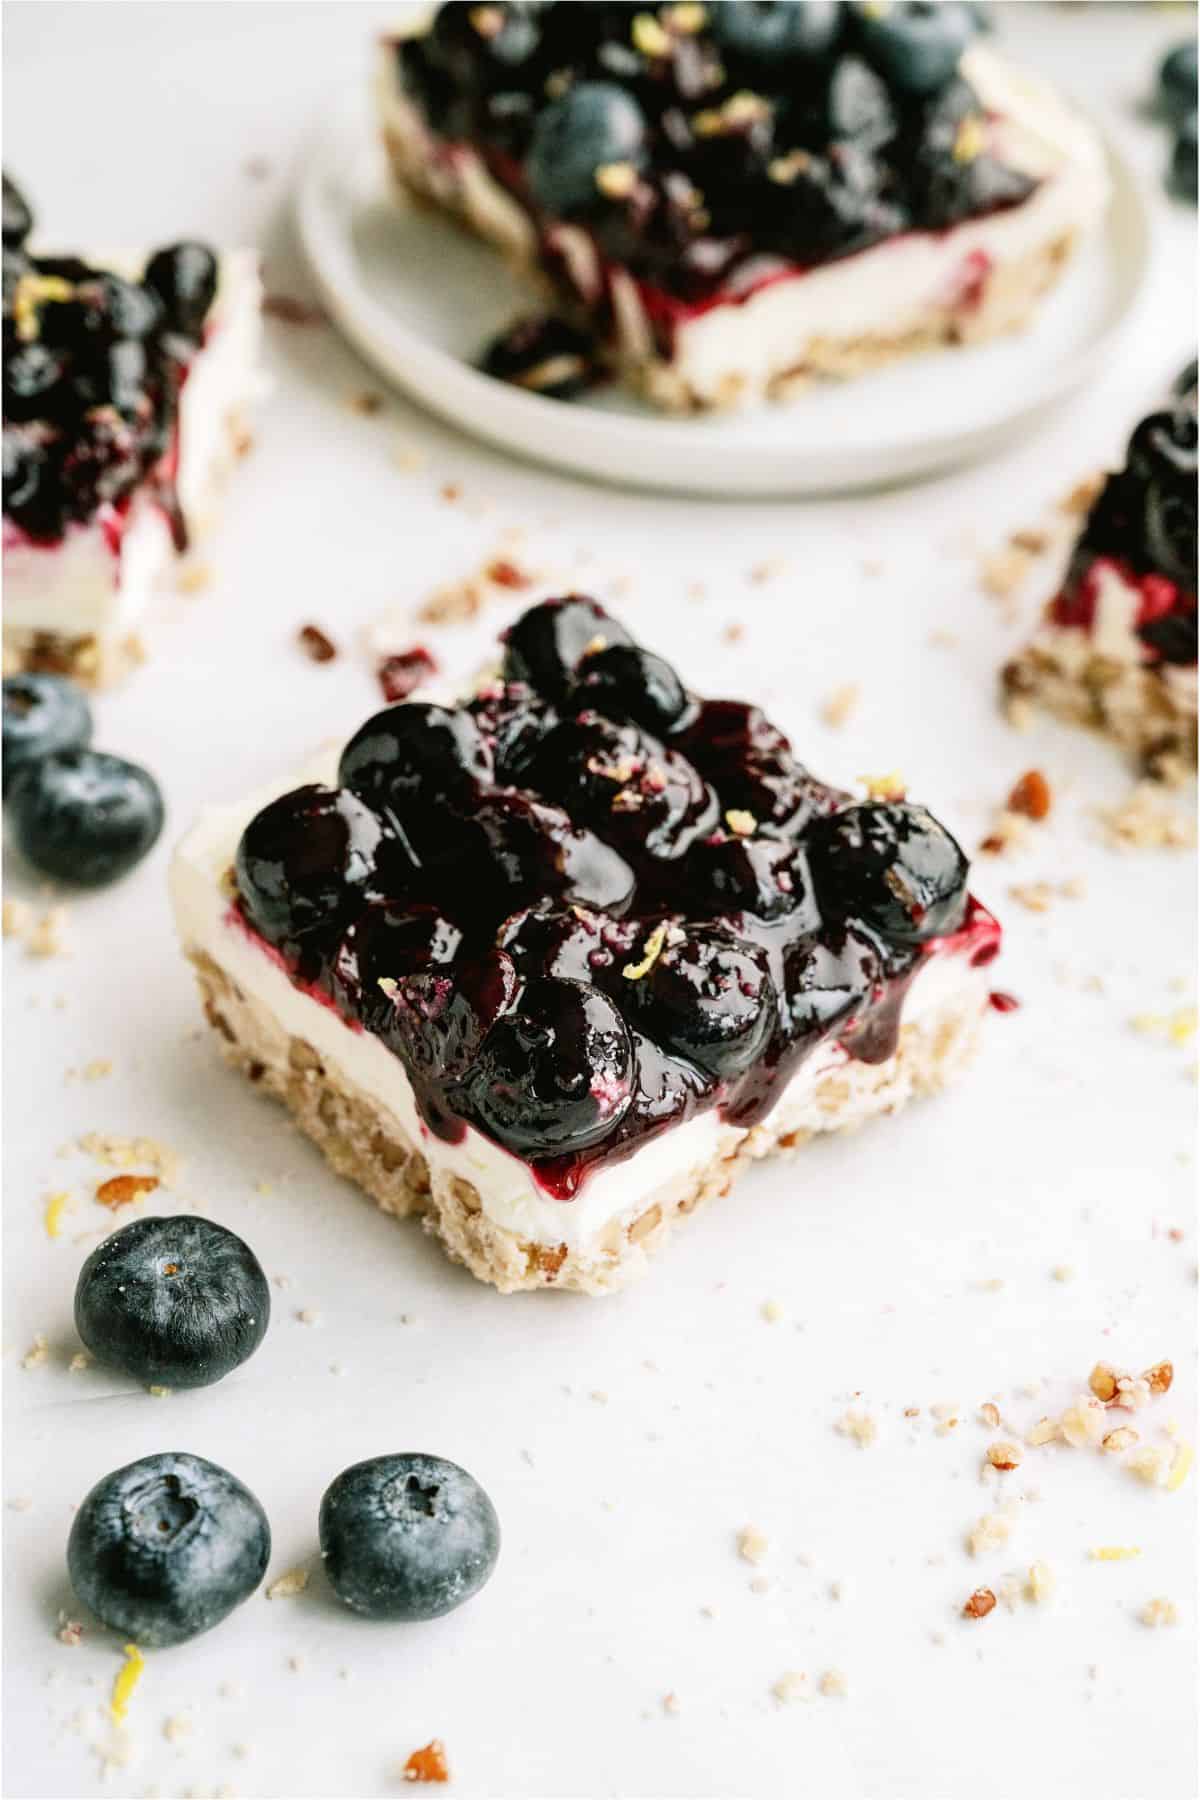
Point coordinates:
[(911, 1266)]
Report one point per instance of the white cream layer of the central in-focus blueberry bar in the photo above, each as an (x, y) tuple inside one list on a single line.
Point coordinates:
[(508, 1191)]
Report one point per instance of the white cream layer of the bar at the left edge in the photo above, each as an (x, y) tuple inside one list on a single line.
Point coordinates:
[(93, 586)]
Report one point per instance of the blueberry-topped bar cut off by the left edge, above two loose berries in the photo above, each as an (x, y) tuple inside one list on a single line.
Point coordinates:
[(125, 390)]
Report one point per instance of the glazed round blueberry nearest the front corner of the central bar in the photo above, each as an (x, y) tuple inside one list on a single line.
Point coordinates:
[(555, 1075)]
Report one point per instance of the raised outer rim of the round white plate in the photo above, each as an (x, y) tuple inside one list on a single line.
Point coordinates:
[(636, 453)]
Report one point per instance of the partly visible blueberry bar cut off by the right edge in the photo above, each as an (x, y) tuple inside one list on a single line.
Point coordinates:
[(1116, 647)]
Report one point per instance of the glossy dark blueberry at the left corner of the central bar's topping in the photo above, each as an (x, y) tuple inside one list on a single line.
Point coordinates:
[(309, 859)]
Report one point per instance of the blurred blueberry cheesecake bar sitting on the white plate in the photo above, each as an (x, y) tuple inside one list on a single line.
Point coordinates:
[(739, 199)]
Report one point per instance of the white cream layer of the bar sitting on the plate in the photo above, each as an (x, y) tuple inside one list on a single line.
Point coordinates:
[(882, 292)]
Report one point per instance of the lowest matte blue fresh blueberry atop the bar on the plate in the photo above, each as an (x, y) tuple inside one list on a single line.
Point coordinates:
[(593, 125)]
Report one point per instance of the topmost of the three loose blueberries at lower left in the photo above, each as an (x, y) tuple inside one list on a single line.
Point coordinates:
[(174, 1302)]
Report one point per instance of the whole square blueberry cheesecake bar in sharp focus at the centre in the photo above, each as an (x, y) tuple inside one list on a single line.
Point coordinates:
[(557, 964)]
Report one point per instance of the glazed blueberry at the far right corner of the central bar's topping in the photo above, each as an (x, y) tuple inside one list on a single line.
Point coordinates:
[(890, 865)]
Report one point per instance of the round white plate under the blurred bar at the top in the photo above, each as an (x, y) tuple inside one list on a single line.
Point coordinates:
[(420, 300)]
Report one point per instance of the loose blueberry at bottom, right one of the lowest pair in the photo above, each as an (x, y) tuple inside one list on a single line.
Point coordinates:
[(407, 1536)]
